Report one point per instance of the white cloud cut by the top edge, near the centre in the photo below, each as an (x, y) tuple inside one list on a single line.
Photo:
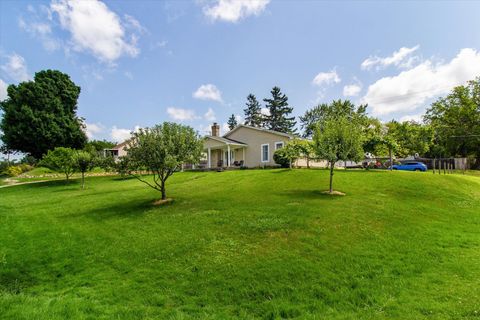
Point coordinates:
[(234, 10)]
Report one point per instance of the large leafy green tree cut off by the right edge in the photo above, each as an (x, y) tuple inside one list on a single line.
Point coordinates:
[(455, 121)]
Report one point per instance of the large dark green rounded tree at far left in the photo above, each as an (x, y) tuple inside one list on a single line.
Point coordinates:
[(40, 115)]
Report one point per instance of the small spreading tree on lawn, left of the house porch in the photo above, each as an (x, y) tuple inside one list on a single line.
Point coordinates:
[(162, 150)]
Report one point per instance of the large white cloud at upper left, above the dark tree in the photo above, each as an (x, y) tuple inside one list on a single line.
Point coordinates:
[(95, 29)]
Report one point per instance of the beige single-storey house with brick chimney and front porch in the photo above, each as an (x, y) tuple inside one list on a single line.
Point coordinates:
[(243, 146)]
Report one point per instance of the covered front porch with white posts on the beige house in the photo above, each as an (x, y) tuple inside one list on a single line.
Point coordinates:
[(224, 153)]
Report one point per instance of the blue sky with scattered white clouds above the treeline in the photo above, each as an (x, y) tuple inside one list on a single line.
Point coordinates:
[(144, 62)]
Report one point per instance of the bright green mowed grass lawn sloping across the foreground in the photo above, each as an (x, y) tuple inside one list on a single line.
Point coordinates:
[(247, 244)]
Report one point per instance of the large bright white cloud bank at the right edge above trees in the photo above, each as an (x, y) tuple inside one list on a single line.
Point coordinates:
[(410, 89)]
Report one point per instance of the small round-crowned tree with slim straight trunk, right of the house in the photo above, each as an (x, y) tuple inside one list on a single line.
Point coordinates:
[(338, 139)]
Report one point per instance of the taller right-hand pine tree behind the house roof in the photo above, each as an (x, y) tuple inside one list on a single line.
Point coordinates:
[(279, 111)]
